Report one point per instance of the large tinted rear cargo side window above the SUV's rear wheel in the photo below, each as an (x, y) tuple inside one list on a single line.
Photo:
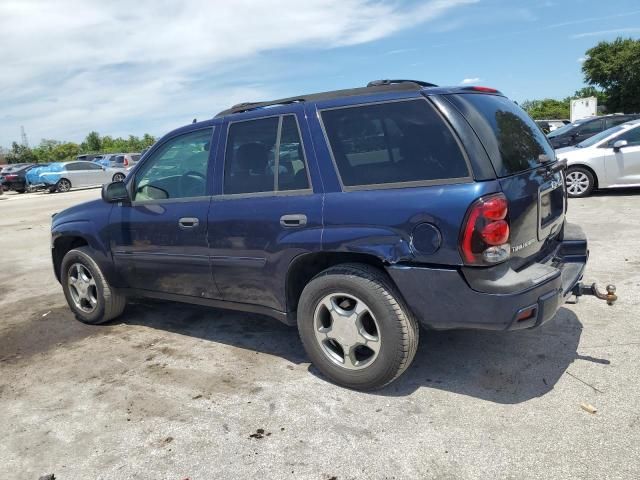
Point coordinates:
[(393, 142)]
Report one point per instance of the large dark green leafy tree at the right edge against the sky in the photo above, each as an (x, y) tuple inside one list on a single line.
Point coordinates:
[(615, 68)]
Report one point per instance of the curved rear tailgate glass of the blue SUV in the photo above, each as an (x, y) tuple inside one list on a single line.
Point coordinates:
[(512, 139)]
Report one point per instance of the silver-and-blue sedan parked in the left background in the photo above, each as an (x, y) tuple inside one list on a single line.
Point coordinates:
[(62, 177)]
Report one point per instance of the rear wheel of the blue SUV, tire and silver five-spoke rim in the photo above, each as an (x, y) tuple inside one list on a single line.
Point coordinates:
[(343, 288)]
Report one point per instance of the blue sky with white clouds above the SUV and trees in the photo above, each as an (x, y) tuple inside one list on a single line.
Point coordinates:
[(68, 67)]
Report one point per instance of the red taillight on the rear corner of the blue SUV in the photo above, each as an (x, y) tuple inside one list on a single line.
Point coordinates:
[(485, 235)]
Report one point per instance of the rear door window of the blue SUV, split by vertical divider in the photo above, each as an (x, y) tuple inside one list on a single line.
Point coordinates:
[(265, 155)]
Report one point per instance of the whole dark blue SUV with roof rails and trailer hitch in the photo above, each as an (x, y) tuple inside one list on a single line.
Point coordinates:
[(358, 215)]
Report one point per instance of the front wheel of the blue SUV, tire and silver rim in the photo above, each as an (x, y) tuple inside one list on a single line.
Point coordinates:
[(109, 304)]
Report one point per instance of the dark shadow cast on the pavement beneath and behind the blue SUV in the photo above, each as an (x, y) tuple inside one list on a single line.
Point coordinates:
[(502, 367)]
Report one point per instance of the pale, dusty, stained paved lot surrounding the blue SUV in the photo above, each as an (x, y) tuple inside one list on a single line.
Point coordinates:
[(171, 391)]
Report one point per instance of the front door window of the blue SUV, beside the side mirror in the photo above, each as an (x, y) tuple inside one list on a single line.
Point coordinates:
[(178, 169)]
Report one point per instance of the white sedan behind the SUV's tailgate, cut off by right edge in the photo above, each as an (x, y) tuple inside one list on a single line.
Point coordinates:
[(610, 159)]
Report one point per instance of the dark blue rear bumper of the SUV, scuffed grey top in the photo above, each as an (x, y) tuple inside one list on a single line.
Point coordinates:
[(493, 298)]
